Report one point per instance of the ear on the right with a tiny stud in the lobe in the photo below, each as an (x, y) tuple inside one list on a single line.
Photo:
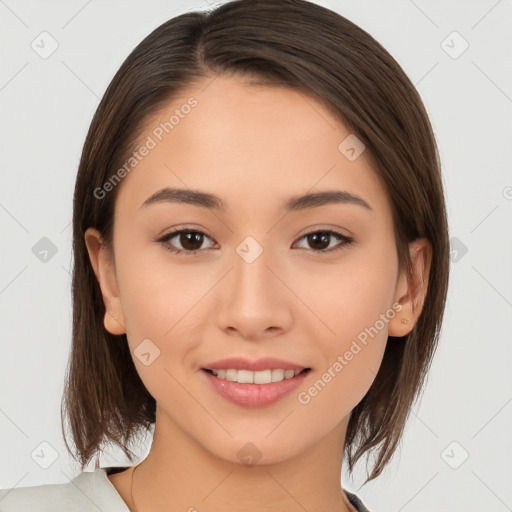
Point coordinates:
[(411, 289)]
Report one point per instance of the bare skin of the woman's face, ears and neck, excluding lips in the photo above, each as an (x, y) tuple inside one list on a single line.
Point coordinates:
[(253, 146)]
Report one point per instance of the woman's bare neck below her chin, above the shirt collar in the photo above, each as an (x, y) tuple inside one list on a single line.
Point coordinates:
[(179, 474)]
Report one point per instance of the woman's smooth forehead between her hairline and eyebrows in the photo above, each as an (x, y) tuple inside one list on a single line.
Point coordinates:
[(247, 143)]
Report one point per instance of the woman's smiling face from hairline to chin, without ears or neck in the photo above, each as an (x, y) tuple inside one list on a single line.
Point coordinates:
[(258, 285)]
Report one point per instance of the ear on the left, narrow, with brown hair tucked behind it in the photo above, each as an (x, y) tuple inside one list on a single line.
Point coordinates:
[(104, 269)]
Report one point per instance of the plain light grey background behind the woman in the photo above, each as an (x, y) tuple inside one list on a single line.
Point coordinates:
[(47, 105)]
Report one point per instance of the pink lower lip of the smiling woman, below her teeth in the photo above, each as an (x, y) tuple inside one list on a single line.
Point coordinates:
[(255, 395)]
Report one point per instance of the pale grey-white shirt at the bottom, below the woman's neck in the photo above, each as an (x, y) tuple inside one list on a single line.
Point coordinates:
[(89, 491)]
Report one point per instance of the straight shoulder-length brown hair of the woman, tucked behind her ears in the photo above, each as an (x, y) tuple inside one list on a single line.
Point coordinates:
[(311, 49)]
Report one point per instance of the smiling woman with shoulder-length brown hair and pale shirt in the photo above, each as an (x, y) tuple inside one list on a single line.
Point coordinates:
[(260, 266)]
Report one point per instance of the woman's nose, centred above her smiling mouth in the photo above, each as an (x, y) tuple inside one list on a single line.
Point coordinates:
[(254, 301)]
